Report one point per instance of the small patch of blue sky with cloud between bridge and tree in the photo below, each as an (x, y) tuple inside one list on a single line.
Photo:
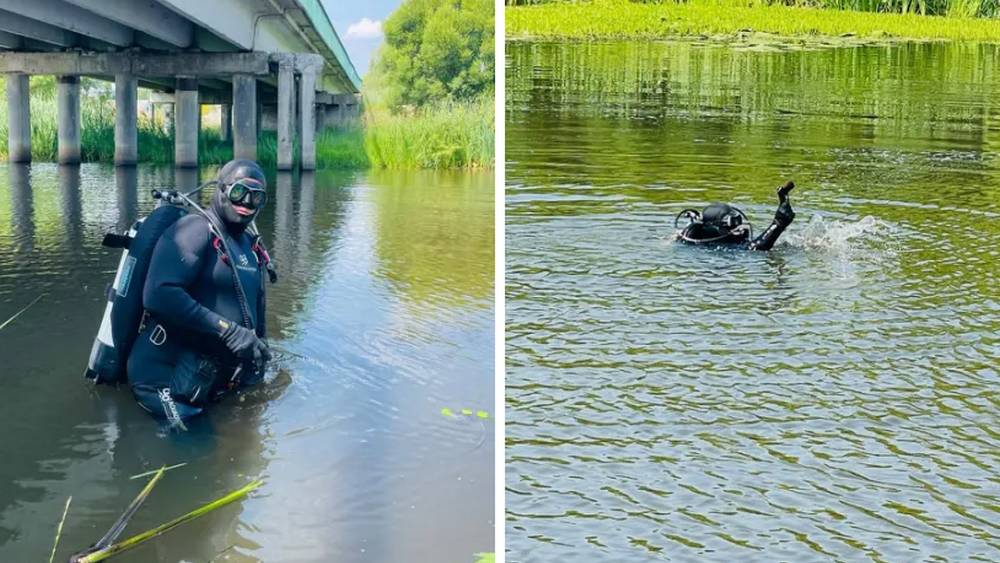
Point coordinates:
[(359, 26)]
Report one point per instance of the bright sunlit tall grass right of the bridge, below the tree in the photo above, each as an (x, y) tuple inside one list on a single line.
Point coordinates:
[(450, 135)]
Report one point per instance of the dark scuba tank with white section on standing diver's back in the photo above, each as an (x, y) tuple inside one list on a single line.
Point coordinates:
[(123, 311)]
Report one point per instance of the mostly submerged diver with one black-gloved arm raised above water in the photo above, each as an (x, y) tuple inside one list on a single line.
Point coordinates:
[(723, 224)]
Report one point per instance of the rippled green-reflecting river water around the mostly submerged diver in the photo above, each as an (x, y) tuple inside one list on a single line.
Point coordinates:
[(832, 399)]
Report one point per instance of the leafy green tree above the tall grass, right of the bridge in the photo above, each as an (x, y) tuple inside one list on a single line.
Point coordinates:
[(436, 50)]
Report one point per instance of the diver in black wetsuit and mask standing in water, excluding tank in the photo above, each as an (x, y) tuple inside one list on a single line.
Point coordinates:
[(197, 339)]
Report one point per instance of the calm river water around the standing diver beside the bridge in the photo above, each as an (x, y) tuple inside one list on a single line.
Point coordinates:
[(382, 317)]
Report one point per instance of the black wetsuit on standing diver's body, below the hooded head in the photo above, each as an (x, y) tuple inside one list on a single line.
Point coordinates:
[(178, 362)]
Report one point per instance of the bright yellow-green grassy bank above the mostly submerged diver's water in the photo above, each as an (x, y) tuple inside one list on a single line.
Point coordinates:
[(621, 19)]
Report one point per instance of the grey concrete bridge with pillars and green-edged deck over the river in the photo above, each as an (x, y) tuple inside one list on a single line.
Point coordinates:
[(253, 57)]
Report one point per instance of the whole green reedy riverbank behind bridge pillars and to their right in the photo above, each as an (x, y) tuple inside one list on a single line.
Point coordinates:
[(455, 135)]
